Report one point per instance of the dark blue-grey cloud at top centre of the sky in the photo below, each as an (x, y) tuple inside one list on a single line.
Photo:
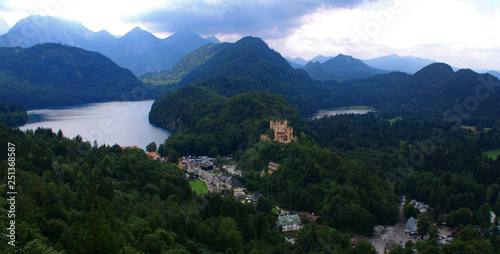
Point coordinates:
[(269, 19)]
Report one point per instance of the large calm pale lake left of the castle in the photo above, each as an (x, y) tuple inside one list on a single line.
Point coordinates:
[(123, 123)]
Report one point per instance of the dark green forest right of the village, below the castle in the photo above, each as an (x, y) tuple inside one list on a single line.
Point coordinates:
[(351, 170)]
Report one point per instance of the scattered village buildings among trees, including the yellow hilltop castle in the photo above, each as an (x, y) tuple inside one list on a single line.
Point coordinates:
[(220, 175)]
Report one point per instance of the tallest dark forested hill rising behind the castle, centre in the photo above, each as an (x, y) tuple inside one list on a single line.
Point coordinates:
[(250, 65)]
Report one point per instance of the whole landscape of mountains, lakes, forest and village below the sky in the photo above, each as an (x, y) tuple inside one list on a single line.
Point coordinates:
[(337, 140)]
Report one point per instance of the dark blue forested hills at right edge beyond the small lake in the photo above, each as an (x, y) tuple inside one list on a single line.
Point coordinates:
[(435, 92)]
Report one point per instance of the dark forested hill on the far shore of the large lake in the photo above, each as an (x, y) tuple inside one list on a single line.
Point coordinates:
[(53, 74)]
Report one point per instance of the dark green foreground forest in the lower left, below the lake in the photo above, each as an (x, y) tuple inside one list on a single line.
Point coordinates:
[(77, 198)]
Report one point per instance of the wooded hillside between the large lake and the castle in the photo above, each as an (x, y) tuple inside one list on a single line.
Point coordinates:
[(211, 124)]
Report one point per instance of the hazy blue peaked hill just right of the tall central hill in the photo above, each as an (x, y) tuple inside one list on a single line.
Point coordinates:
[(340, 68)]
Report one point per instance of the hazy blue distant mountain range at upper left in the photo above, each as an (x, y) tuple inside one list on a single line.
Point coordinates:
[(138, 50)]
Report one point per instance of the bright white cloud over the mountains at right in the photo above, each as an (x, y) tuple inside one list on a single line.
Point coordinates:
[(454, 31)]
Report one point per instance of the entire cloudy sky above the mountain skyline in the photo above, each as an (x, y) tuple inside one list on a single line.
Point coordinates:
[(463, 33)]
